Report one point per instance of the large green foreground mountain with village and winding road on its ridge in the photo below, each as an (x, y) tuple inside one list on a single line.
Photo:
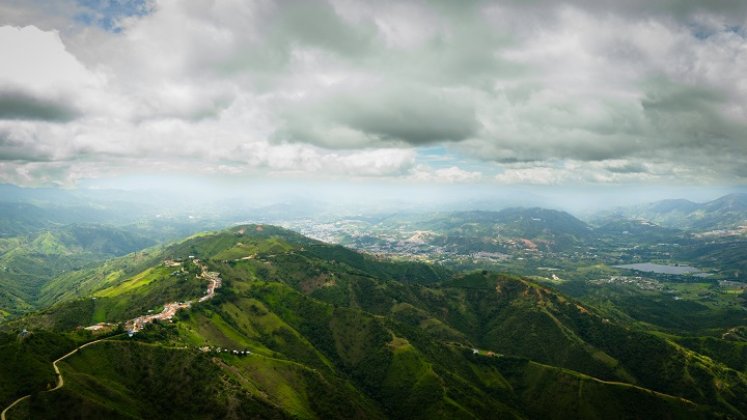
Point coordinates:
[(333, 333)]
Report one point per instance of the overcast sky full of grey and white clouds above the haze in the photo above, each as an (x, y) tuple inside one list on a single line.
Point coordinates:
[(585, 92)]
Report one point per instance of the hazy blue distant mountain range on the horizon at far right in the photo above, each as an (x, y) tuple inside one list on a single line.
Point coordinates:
[(727, 212)]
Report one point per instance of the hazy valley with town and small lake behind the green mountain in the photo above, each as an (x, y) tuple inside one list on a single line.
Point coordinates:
[(612, 261)]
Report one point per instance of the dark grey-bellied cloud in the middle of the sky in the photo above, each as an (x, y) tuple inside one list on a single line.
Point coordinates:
[(366, 115)]
